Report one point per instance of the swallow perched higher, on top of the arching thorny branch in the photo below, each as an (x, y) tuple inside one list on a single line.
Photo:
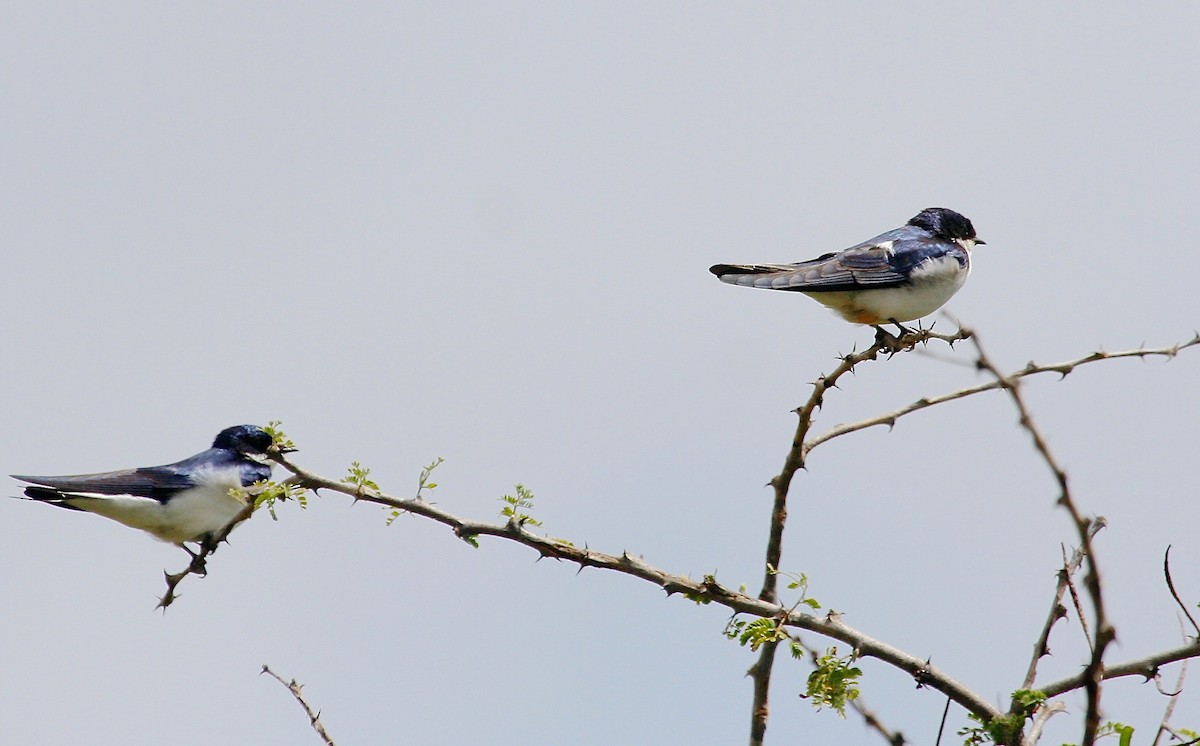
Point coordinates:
[(898, 276)]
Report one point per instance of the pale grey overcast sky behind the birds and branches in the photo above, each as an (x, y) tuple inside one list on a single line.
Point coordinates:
[(483, 232)]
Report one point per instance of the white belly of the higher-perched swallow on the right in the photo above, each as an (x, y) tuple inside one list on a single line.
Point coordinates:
[(932, 285)]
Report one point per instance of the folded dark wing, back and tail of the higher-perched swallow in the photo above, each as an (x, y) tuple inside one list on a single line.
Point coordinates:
[(884, 262)]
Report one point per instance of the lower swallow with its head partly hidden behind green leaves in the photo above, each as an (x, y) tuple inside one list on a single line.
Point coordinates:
[(189, 501)]
